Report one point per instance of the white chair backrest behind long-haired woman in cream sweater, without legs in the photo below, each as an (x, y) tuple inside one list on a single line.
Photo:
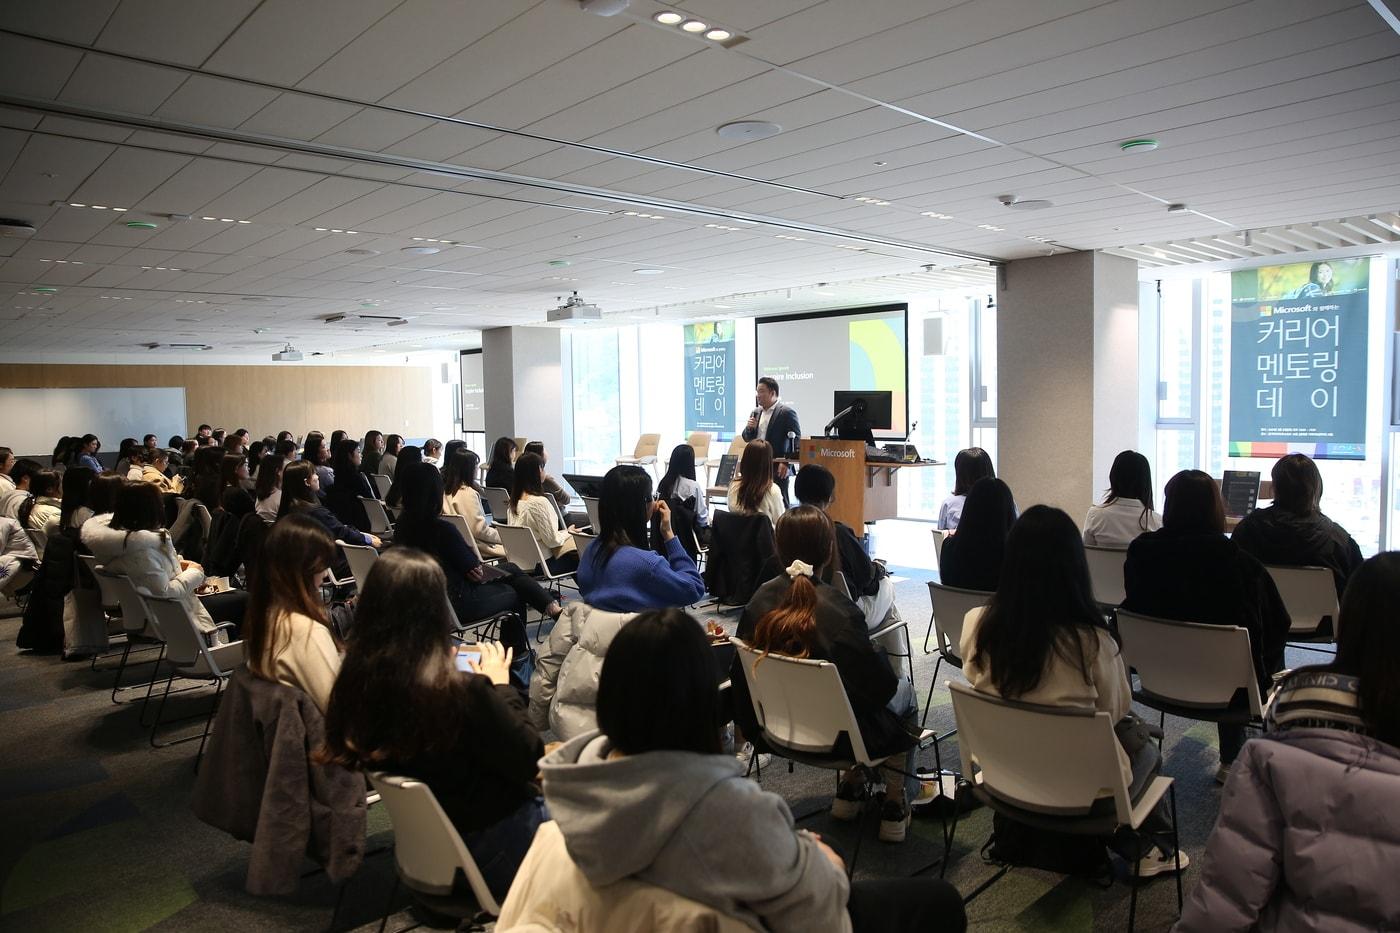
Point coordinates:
[(1044, 759)]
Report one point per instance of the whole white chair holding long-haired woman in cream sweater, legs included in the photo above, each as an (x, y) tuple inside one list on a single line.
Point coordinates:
[(1048, 767)]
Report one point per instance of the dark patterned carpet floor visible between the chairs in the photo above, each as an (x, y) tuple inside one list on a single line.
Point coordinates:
[(99, 833)]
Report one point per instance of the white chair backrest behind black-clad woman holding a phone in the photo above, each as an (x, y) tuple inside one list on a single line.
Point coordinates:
[(426, 847)]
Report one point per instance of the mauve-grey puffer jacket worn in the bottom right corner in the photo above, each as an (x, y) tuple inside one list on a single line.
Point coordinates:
[(1308, 840)]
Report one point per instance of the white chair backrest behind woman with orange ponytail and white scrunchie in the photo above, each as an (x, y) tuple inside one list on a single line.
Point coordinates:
[(800, 704)]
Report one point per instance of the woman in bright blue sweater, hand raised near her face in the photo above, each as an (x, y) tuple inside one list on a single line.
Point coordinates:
[(619, 574)]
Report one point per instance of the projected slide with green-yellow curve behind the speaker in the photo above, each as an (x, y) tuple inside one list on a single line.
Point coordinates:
[(815, 355)]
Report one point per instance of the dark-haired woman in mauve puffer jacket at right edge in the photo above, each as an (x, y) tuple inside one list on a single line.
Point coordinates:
[(1318, 789)]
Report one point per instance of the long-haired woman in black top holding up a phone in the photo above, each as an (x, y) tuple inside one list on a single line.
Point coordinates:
[(404, 705)]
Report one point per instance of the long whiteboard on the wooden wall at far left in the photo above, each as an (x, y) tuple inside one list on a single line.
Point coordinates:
[(31, 421)]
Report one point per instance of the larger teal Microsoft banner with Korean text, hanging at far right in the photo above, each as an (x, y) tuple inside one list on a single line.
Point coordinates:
[(1298, 361)]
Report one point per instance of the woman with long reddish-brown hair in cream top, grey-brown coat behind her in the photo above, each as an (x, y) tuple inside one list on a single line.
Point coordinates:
[(288, 637)]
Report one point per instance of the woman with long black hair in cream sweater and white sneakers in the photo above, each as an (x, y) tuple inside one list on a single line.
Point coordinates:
[(1044, 641)]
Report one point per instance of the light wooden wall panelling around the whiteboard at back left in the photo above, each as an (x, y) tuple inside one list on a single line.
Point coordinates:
[(395, 400)]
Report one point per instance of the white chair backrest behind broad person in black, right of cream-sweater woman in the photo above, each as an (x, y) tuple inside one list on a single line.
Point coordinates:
[(1189, 663)]
